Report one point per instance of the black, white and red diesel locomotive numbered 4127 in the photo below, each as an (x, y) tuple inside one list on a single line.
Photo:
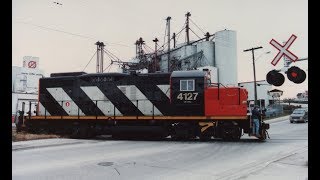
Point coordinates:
[(179, 104)]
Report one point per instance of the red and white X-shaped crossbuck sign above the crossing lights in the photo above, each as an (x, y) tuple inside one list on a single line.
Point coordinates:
[(283, 50)]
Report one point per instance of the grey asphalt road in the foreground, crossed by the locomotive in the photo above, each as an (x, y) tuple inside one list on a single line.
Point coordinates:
[(284, 156)]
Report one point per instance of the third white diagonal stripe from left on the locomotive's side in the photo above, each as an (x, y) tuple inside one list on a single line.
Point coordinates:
[(144, 105)]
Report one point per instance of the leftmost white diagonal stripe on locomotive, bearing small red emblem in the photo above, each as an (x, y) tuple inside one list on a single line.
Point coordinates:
[(68, 104)]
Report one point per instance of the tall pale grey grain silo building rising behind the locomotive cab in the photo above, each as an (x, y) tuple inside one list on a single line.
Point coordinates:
[(219, 53)]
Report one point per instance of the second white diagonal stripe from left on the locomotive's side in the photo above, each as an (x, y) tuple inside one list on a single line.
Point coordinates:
[(103, 103)]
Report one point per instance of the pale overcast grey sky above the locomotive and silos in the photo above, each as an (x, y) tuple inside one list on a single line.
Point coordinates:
[(63, 36)]
